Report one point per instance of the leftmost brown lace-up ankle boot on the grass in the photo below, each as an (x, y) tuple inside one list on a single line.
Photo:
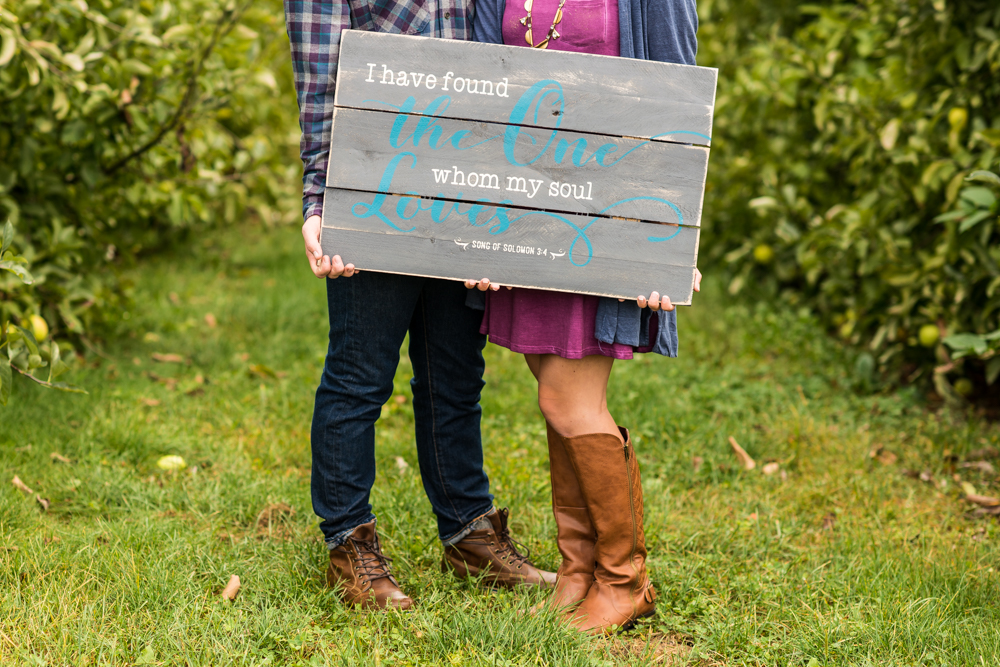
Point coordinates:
[(359, 567)]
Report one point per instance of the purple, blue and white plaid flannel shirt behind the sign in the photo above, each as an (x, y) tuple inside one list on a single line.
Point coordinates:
[(314, 29)]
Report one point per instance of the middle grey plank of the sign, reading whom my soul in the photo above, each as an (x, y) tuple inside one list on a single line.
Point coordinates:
[(460, 159)]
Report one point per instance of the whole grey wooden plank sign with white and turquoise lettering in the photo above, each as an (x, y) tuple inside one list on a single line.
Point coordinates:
[(530, 167)]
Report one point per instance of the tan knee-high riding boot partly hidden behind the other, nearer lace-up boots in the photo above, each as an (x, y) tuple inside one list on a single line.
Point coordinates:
[(575, 533)]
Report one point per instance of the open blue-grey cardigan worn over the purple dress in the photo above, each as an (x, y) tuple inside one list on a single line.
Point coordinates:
[(664, 30)]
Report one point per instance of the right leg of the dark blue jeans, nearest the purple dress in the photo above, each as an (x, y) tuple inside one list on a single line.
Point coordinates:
[(446, 350)]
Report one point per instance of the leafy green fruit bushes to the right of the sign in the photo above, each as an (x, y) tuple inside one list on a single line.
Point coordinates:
[(844, 137)]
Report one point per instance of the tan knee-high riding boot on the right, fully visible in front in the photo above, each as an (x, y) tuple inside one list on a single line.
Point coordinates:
[(609, 477)]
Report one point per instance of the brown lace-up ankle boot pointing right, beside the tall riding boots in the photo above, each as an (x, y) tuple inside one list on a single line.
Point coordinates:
[(490, 551)]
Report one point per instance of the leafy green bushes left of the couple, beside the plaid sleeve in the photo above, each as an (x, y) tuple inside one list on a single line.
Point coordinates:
[(124, 124)]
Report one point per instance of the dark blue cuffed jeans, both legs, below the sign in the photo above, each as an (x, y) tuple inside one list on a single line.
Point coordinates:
[(370, 314)]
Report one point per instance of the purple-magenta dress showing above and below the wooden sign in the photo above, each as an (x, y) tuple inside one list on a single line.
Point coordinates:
[(536, 321)]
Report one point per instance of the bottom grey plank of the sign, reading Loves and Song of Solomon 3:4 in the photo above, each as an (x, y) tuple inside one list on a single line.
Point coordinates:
[(563, 252)]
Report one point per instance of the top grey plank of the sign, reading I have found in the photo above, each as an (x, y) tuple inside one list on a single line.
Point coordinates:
[(573, 91)]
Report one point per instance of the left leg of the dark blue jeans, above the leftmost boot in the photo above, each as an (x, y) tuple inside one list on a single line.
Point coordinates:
[(369, 316)]
